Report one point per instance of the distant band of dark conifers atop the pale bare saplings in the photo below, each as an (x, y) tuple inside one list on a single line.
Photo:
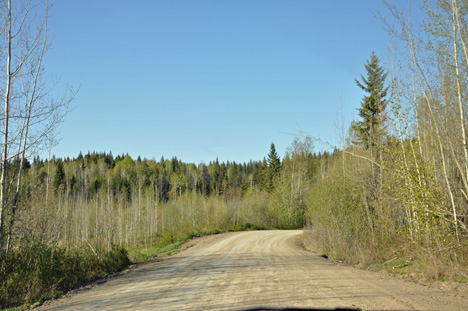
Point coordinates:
[(169, 179)]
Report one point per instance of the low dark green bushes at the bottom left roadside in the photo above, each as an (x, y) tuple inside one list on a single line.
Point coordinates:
[(38, 271)]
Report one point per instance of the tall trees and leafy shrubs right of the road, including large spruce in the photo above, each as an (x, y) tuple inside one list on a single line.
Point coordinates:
[(396, 193)]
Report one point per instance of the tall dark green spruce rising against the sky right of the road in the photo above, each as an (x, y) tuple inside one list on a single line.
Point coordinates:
[(369, 129)]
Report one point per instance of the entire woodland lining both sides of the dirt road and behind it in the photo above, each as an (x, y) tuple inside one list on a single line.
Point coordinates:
[(393, 195)]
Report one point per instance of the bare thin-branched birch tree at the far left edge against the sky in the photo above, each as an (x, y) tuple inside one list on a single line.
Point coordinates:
[(30, 112)]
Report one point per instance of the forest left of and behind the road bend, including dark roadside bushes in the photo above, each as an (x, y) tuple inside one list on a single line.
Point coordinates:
[(117, 205)]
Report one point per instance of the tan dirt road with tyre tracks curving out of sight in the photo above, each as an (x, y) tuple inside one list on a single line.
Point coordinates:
[(242, 270)]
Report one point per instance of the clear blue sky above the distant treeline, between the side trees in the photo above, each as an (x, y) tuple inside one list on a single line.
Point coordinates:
[(207, 79)]
